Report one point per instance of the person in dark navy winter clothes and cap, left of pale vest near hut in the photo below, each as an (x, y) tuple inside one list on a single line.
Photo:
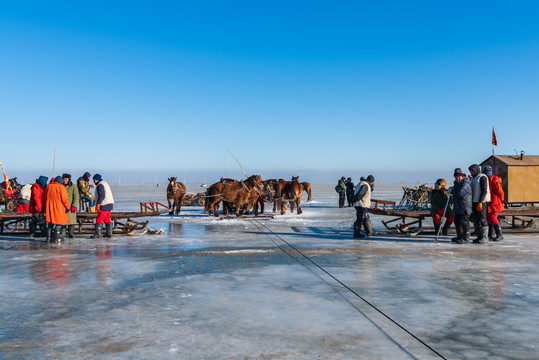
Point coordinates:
[(462, 206)]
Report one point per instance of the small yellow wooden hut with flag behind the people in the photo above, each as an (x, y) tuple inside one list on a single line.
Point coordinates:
[(520, 176)]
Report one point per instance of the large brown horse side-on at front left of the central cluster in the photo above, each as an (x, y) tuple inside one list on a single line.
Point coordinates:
[(237, 192)]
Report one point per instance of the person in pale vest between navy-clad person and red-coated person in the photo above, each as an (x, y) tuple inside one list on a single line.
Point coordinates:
[(480, 198)]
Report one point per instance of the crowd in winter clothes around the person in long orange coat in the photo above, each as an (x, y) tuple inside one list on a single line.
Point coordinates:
[(54, 205)]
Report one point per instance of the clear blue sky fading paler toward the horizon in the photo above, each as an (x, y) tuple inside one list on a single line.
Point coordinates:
[(311, 87)]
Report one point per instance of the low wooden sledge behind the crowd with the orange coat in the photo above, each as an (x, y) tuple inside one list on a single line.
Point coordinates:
[(17, 223)]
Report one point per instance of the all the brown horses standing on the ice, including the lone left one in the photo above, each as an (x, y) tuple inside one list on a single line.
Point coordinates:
[(240, 196)]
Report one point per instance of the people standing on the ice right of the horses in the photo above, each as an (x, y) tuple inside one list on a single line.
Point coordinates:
[(477, 198)]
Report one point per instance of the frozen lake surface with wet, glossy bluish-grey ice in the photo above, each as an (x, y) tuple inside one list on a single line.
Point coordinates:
[(239, 289)]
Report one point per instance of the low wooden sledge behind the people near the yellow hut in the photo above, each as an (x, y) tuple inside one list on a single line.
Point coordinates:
[(520, 219)]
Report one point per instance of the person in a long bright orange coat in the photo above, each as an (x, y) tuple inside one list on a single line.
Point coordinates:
[(56, 207)]
